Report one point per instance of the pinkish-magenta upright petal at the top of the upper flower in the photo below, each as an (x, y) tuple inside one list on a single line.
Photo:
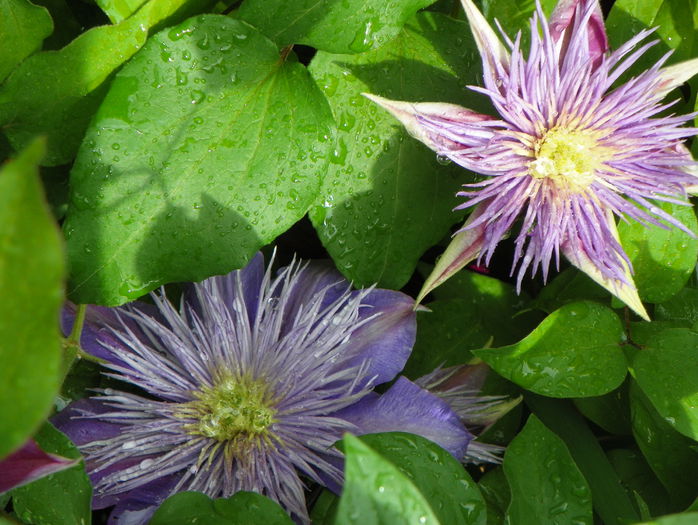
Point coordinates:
[(564, 17)]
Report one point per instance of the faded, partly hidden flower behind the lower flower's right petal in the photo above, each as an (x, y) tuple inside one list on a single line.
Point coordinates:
[(460, 387)]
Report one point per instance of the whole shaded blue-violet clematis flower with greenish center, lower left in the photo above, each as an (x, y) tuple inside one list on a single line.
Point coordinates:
[(247, 386)]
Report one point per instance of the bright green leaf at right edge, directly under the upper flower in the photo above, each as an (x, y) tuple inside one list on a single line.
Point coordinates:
[(663, 259)]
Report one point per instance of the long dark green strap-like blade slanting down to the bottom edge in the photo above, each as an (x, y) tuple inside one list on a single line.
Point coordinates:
[(611, 501)]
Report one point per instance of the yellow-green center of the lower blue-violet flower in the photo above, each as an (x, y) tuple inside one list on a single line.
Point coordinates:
[(234, 408)]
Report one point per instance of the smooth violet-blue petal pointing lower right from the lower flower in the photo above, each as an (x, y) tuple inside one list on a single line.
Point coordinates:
[(405, 407)]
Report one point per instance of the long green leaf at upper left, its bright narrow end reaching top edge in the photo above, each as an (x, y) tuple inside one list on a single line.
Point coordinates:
[(56, 92)]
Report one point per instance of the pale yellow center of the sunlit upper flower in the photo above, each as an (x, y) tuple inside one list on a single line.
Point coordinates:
[(568, 158)]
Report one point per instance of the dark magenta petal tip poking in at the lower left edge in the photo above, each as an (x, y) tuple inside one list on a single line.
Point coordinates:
[(28, 464)]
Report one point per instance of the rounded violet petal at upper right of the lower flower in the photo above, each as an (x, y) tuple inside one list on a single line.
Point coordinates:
[(385, 342)]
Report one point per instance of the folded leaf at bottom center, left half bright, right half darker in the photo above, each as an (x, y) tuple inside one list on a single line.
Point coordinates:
[(401, 478)]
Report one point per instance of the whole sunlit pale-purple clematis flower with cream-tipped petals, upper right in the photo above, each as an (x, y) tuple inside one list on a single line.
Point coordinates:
[(568, 152)]
